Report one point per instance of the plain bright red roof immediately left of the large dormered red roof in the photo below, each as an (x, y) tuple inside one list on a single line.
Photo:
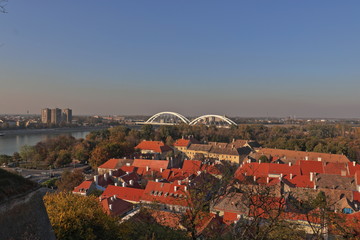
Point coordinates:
[(125, 193)]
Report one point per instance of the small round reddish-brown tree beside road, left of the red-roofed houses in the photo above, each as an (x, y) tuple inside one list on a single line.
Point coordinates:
[(69, 180)]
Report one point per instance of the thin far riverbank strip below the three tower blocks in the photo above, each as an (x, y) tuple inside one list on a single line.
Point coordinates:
[(8, 132)]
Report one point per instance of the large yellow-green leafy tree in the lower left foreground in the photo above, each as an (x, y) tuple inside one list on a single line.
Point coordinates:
[(77, 217)]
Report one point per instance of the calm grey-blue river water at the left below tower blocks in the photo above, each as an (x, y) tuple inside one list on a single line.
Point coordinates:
[(12, 141)]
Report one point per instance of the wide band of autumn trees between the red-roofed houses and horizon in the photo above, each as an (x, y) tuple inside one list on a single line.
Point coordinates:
[(120, 141)]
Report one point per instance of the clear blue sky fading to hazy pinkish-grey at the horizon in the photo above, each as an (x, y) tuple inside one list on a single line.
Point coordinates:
[(240, 58)]
